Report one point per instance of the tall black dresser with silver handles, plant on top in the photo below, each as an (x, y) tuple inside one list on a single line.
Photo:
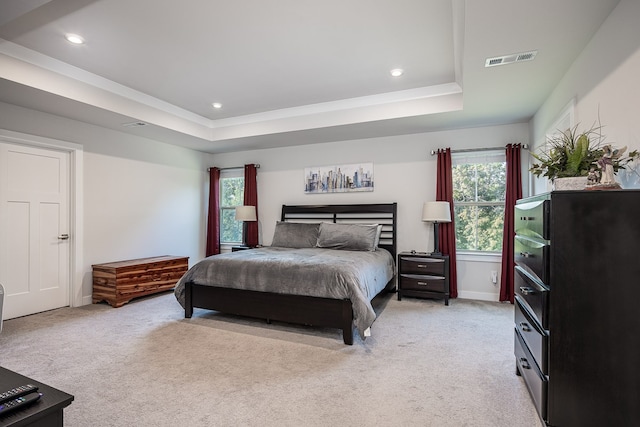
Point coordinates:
[(577, 320)]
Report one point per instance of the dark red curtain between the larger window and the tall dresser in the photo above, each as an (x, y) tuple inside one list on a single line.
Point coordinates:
[(513, 193)]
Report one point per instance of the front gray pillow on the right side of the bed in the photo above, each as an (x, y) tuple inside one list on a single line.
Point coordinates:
[(351, 237)]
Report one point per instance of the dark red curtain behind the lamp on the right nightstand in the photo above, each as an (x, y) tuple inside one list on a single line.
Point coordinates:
[(447, 240)]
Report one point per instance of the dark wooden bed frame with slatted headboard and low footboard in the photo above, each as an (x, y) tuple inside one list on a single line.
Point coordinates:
[(305, 310)]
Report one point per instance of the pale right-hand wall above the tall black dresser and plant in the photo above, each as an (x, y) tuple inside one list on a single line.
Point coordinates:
[(603, 81)]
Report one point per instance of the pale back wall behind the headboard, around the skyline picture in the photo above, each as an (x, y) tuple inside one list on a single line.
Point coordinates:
[(404, 172)]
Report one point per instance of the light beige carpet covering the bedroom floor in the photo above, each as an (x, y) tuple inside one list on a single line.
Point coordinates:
[(145, 365)]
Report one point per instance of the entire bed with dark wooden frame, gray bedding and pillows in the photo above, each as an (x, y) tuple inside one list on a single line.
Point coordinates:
[(301, 302)]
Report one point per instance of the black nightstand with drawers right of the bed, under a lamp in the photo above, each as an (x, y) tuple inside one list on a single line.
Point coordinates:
[(423, 275)]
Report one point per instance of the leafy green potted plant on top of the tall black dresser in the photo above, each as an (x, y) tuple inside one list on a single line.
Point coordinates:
[(577, 155)]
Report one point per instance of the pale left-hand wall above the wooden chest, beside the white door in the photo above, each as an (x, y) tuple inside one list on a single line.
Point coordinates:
[(139, 197)]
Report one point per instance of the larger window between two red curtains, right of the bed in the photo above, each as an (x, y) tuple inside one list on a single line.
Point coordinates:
[(479, 187)]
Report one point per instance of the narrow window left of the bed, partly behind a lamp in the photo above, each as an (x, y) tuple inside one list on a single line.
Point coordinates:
[(231, 195)]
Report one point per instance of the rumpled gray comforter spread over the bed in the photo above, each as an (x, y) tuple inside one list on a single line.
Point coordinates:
[(355, 275)]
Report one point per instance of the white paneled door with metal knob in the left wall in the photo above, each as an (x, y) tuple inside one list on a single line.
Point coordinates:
[(34, 227)]
